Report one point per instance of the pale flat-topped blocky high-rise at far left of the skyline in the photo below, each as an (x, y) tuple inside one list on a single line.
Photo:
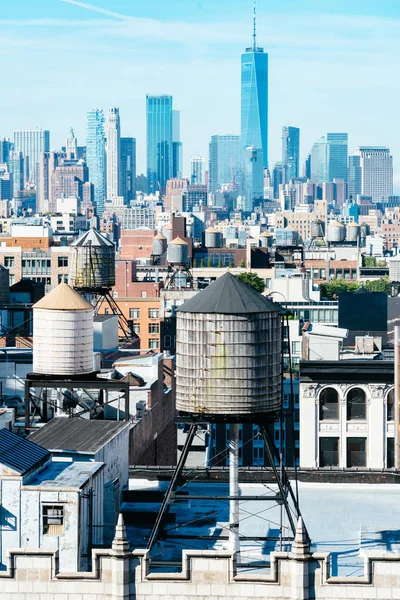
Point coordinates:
[(32, 143)]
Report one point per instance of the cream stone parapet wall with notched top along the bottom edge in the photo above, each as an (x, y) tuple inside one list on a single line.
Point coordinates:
[(122, 575)]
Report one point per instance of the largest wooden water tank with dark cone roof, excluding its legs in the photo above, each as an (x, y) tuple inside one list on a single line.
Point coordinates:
[(228, 353)]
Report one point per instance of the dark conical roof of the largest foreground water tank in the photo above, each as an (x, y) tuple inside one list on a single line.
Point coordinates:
[(230, 296)]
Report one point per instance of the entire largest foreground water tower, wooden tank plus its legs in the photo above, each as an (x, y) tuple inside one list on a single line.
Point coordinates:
[(229, 371)]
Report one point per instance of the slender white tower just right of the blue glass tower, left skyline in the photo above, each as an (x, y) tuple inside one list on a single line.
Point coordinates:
[(113, 135)]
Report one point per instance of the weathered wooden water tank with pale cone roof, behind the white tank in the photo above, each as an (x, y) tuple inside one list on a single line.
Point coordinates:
[(92, 261)]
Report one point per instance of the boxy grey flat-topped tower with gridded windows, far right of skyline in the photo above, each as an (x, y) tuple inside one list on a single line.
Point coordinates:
[(376, 172)]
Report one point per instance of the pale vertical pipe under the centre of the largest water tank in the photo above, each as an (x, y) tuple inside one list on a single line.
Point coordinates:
[(234, 487)]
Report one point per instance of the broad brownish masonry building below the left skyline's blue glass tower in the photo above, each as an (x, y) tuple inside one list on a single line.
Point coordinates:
[(68, 179)]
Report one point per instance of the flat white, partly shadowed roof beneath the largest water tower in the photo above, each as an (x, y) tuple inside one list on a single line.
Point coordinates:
[(347, 520)]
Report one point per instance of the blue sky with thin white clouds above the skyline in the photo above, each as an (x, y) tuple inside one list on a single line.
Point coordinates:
[(334, 66)]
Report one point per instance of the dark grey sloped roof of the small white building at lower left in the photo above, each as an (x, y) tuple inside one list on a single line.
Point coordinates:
[(77, 435)]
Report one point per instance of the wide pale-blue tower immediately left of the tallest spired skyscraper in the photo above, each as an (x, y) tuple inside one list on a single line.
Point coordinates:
[(225, 162)]
